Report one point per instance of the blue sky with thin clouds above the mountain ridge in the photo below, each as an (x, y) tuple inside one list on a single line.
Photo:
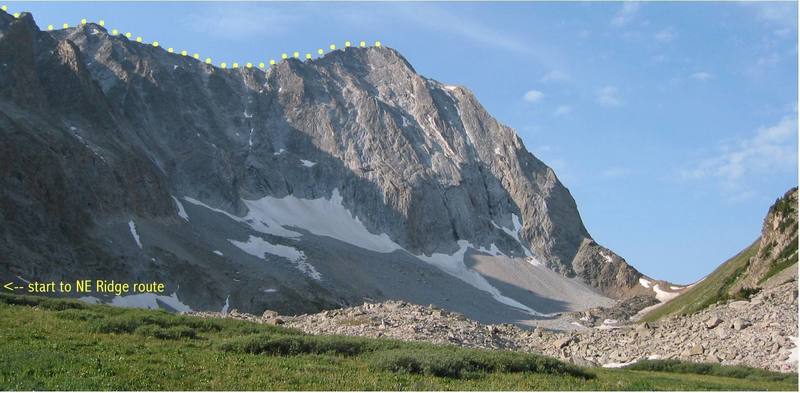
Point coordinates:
[(674, 125)]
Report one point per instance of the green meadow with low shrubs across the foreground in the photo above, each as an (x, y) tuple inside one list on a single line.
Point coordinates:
[(56, 345)]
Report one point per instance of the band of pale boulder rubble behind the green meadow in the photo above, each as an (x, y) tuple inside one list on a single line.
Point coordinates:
[(761, 332)]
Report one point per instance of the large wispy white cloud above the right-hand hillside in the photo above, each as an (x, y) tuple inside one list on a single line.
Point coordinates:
[(769, 150)]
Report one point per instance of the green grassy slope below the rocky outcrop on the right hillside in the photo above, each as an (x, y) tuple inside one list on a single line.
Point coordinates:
[(711, 290)]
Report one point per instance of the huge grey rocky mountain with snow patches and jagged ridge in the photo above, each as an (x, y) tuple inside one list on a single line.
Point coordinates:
[(311, 185)]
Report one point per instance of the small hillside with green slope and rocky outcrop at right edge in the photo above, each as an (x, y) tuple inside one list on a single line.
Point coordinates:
[(770, 261)]
